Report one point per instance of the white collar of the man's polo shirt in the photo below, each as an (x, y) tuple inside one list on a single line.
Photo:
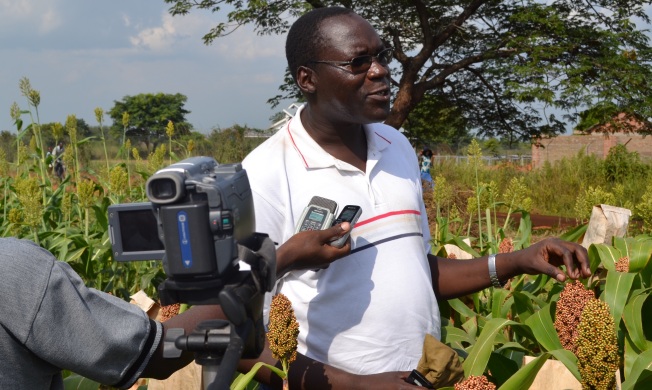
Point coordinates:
[(314, 156)]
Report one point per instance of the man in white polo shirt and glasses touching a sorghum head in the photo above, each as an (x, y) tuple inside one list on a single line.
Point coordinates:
[(364, 318)]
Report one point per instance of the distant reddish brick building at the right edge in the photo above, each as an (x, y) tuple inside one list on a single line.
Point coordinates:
[(597, 140)]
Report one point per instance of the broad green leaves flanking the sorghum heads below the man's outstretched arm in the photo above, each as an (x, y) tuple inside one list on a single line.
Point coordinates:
[(492, 330)]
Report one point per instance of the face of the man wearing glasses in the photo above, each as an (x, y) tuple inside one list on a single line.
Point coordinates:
[(341, 95)]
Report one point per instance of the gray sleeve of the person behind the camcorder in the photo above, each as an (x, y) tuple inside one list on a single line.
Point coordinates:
[(89, 332)]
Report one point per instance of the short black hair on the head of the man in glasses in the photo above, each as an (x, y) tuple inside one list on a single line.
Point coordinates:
[(304, 40)]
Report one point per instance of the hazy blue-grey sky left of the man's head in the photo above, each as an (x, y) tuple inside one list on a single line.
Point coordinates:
[(85, 54)]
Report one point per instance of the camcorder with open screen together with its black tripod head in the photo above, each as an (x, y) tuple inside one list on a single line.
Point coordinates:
[(200, 222)]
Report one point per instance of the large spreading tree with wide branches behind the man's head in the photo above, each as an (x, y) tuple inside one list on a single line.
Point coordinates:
[(509, 65)]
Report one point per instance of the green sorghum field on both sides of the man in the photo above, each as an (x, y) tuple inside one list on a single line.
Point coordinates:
[(492, 330)]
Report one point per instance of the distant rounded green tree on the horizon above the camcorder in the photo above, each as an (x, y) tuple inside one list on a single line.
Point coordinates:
[(149, 115)]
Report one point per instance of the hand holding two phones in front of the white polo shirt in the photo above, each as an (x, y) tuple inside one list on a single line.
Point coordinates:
[(311, 249)]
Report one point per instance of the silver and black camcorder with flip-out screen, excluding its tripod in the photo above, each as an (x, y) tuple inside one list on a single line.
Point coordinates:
[(198, 212)]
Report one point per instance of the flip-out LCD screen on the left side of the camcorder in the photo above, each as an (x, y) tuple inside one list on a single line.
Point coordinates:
[(134, 232)]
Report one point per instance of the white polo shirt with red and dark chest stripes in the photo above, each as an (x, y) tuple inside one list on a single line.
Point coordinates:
[(368, 312)]
